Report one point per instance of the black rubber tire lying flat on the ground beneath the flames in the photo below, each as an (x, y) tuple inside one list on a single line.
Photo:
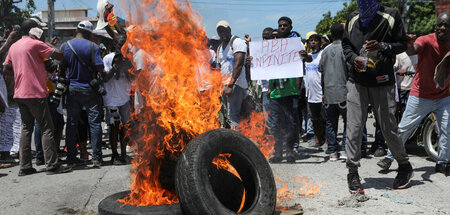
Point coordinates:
[(110, 206)]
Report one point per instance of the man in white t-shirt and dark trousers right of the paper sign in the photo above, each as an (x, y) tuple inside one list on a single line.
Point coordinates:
[(313, 88)]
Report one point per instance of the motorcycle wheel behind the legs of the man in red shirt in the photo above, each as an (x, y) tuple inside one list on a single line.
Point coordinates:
[(430, 138)]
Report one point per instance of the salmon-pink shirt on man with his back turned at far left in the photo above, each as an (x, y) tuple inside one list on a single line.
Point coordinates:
[(26, 56)]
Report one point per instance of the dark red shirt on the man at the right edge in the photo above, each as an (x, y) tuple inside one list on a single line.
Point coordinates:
[(431, 53)]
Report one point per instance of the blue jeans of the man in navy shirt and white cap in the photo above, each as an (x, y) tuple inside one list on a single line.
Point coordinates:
[(78, 97)]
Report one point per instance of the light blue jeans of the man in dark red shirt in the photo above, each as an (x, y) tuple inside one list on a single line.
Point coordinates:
[(417, 109)]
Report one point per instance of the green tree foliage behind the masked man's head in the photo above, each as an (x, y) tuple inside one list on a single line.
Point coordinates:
[(420, 15)]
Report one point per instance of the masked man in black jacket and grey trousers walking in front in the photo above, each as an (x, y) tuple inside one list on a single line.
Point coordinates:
[(380, 31)]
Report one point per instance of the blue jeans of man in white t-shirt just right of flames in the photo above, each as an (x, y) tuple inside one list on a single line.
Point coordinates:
[(234, 103)]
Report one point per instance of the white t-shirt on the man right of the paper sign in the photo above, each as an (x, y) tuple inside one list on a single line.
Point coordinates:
[(313, 79)]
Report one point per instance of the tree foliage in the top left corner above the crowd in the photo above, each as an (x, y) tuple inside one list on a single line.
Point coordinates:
[(11, 14)]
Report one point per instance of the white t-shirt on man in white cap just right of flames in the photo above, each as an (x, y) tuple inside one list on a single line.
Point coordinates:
[(226, 60)]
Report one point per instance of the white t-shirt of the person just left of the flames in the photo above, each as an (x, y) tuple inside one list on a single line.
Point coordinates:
[(117, 91)]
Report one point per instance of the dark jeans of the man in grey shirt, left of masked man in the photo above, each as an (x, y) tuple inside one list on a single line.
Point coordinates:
[(332, 112)]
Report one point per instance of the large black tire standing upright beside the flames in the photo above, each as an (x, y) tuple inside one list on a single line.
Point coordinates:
[(191, 178)]
